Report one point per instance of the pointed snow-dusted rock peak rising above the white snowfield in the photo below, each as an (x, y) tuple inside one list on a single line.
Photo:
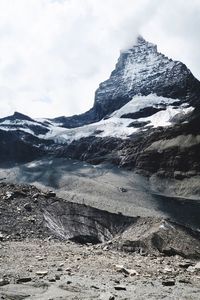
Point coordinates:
[(142, 70)]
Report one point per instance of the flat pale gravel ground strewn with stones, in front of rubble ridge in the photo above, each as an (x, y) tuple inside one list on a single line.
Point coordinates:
[(64, 270)]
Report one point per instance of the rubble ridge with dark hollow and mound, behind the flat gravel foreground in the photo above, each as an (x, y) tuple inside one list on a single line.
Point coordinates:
[(27, 212)]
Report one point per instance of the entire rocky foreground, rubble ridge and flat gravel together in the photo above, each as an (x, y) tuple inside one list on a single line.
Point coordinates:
[(54, 249)]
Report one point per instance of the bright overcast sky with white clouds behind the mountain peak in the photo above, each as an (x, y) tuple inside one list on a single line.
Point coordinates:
[(54, 53)]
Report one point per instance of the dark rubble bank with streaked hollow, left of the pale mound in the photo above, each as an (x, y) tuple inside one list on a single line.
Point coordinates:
[(28, 212)]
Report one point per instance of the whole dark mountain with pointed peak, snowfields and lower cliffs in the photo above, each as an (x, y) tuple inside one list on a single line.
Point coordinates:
[(145, 117)]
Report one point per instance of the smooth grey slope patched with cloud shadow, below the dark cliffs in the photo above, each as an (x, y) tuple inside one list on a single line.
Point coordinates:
[(108, 187)]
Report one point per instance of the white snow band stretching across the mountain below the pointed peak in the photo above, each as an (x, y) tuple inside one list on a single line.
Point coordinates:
[(114, 126)]
